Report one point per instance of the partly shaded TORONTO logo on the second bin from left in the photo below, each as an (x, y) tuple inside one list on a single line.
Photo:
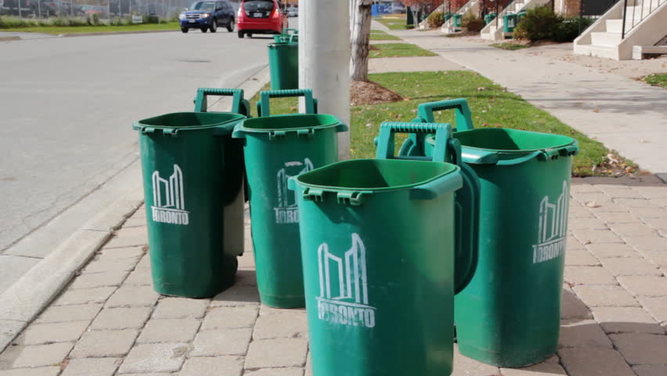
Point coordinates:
[(287, 211)]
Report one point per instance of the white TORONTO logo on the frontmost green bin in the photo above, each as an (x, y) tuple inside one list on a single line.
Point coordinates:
[(344, 286)]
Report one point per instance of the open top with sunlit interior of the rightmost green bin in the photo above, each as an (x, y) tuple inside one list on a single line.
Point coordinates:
[(510, 146)]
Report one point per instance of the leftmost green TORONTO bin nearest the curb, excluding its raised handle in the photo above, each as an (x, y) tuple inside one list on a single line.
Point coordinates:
[(187, 185)]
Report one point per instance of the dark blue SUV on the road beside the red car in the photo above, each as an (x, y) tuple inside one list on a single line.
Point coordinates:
[(208, 15)]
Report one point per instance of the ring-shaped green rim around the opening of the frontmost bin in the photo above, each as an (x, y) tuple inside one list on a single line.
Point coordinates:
[(451, 170)]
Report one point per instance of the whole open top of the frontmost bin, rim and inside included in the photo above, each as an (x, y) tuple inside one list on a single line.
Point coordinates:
[(355, 178)]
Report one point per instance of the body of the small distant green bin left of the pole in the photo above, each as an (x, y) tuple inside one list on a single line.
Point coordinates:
[(284, 65)]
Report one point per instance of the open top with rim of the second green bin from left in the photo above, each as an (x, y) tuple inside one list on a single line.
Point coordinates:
[(289, 123)]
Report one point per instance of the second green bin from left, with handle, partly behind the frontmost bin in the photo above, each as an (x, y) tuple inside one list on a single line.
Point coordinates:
[(277, 148)]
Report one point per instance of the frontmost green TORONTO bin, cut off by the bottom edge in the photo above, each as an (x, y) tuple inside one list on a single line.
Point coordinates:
[(379, 294)]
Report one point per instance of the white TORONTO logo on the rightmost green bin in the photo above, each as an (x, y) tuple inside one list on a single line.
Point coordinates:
[(552, 230)]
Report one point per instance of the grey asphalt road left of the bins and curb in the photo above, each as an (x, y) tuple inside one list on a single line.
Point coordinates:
[(67, 105)]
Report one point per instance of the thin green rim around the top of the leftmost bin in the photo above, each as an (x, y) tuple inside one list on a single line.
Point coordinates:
[(227, 124)]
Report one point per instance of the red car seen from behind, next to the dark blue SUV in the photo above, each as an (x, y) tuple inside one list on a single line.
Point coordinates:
[(260, 17)]
